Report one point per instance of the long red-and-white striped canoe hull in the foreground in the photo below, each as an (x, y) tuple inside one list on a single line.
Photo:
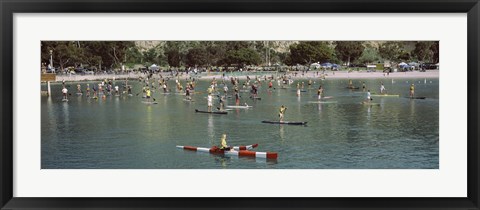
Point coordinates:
[(240, 153)]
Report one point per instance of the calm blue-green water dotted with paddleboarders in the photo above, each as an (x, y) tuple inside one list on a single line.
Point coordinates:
[(124, 133)]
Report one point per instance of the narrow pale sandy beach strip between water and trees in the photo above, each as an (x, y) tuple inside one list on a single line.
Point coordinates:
[(252, 75)]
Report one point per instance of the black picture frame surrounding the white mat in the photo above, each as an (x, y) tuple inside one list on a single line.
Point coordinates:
[(10, 7)]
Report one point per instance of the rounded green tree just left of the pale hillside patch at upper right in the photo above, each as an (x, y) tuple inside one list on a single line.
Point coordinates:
[(348, 51)]
